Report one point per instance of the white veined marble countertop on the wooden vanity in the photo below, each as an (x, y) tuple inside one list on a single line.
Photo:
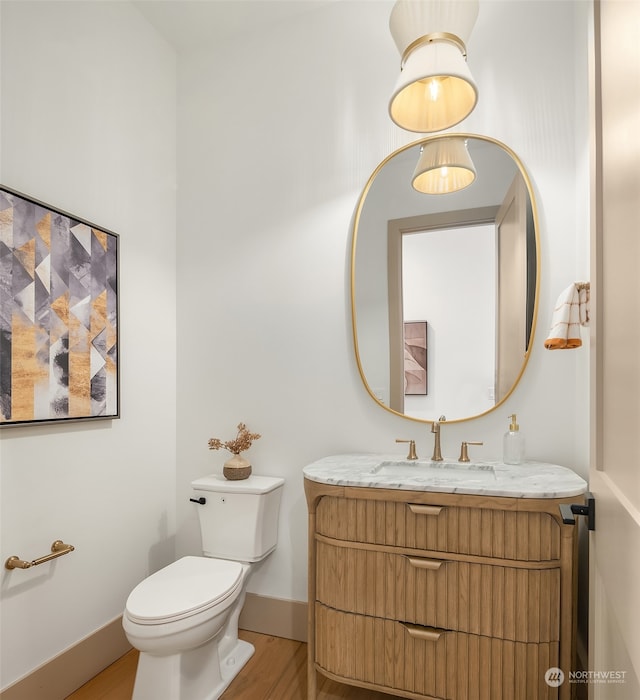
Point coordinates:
[(388, 471)]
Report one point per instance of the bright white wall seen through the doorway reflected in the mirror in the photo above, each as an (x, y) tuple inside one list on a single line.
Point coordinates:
[(448, 276)]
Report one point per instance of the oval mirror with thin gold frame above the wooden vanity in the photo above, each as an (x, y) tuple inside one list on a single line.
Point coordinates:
[(444, 288)]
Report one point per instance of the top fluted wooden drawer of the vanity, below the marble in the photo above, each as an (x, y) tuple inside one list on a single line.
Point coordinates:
[(519, 535)]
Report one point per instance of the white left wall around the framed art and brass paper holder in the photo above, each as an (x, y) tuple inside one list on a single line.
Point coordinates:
[(88, 125)]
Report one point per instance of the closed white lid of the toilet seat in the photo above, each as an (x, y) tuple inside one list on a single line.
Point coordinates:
[(184, 588)]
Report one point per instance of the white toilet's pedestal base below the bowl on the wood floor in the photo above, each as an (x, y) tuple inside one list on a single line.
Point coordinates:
[(198, 674)]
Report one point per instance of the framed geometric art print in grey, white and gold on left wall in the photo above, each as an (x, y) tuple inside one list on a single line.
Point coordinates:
[(58, 315)]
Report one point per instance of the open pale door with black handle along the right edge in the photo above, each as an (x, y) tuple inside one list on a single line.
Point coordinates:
[(614, 625)]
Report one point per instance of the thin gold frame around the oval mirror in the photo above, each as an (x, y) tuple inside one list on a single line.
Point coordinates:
[(357, 234)]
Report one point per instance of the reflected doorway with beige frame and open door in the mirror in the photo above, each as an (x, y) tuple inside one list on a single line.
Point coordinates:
[(474, 279)]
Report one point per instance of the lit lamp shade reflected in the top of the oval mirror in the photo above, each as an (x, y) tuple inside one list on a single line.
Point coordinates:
[(444, 166)]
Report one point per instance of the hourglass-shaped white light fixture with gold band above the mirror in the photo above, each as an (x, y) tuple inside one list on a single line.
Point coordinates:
[(435, 89)]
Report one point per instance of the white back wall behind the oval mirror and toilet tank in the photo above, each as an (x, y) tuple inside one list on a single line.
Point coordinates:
[(277, 134)]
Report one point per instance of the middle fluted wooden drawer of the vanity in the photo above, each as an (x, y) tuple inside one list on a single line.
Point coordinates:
[(519, 604)]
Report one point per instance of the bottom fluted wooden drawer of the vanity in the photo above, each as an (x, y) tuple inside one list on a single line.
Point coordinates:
[(433, 663)]
